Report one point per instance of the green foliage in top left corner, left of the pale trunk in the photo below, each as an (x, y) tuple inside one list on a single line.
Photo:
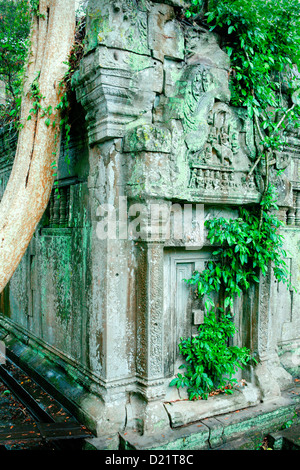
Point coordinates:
[(15, 18)]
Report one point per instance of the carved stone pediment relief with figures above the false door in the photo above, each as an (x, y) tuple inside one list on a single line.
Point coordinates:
[(217, 138)]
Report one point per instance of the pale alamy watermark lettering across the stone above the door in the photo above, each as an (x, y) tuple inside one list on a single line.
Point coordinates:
[(156, 221)]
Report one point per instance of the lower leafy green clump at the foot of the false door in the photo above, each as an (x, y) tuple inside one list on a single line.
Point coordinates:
[(210, 359)]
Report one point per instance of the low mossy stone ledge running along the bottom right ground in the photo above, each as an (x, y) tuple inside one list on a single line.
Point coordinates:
[(238, 430)]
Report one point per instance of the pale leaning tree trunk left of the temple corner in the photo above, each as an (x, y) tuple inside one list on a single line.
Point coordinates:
[(31, 180)]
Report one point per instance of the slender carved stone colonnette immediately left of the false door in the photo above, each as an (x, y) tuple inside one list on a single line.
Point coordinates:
[(150, 334)]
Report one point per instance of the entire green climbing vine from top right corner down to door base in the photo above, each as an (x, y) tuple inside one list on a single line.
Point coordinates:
[(262, 40)]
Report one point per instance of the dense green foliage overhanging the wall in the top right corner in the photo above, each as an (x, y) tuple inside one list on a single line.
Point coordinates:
[(262, 40)]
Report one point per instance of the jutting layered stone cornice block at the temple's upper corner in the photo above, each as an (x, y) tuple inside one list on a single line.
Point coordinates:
[(113, 89)]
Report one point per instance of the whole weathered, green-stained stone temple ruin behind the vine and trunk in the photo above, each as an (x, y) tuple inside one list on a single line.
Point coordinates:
[(98, 304)]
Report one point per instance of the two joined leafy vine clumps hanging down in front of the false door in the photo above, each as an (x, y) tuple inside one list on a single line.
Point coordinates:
[(246, 247)]
